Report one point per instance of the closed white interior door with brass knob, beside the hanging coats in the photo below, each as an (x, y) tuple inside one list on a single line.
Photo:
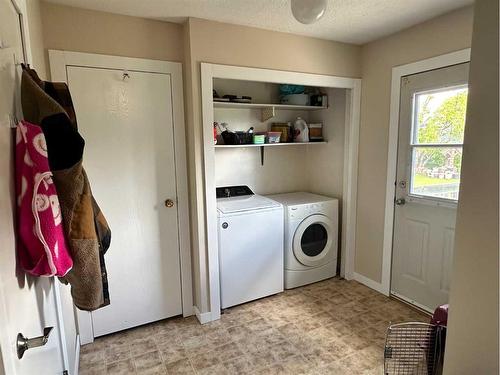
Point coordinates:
[(126, 120)]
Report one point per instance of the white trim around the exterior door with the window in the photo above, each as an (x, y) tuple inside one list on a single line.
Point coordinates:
[(441, 61)]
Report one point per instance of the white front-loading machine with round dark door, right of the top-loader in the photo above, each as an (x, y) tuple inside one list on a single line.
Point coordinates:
[(311, 237)]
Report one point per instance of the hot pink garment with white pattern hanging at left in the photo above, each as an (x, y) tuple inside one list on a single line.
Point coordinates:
[(42, 248)]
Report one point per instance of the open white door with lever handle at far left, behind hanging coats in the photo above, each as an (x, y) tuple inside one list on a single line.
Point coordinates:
[(27, 304)]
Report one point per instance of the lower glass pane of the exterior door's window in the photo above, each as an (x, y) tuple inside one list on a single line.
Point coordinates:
[(435, 172)]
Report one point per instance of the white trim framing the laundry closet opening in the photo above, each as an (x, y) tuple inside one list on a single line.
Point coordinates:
[(210, 255)]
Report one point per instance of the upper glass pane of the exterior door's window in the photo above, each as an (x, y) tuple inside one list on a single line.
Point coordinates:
[(440, 116)]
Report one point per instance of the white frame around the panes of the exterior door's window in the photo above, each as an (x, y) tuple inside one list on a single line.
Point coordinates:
[(413, 144)]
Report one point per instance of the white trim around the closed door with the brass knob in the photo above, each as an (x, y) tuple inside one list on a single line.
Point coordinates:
[(59, 60)]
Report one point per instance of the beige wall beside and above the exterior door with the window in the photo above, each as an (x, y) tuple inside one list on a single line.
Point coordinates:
[(444, 34)]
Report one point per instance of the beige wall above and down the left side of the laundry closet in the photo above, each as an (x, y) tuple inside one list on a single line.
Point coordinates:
[(221, 43)]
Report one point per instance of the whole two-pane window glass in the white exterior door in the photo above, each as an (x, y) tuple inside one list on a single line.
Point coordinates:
[(436, 142)]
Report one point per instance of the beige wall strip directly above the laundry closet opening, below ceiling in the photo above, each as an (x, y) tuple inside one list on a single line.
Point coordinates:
[(247, 46)]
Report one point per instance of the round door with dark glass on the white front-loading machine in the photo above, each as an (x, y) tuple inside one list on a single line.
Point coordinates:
[(313, 240)]
